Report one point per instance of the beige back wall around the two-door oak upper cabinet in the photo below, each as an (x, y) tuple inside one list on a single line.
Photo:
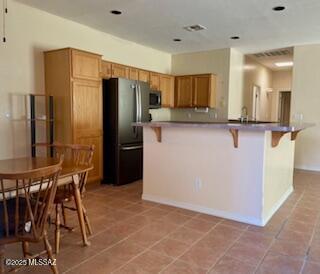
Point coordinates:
[(213, 61)]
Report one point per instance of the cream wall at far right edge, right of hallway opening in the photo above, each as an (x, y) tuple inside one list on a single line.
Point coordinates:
[(306, 100)]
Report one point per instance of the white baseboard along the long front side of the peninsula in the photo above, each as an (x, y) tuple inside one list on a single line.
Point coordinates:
[(206, 210)]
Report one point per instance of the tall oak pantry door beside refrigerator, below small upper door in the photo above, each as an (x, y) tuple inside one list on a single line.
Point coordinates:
[(87, 119)]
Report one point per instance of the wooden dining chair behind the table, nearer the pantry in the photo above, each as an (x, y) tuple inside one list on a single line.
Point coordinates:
[(79, 155)]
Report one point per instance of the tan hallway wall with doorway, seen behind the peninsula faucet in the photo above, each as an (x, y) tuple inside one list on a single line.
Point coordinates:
[(256, 74)]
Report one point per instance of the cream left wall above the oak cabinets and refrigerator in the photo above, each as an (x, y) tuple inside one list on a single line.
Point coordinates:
[(29, 33)]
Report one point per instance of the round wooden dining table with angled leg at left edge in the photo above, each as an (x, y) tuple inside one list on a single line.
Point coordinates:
[(69, 169)]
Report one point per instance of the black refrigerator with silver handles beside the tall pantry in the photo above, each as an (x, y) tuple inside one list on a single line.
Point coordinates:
[(124, 102)]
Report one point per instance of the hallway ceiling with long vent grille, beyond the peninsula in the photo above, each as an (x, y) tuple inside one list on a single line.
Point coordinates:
[(270, 57)]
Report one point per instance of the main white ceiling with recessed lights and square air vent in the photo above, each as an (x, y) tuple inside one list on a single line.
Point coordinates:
[(155, 23)]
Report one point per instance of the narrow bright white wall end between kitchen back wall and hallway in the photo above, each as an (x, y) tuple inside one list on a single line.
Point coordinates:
[(235, 99)]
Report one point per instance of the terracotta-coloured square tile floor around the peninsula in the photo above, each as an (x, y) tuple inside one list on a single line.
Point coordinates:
[(135, 236)]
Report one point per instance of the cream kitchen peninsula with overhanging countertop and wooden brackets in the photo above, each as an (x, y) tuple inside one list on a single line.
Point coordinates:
[(238, 171)]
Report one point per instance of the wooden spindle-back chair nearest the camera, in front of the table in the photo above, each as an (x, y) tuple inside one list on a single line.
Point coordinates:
[(23, 215)]
